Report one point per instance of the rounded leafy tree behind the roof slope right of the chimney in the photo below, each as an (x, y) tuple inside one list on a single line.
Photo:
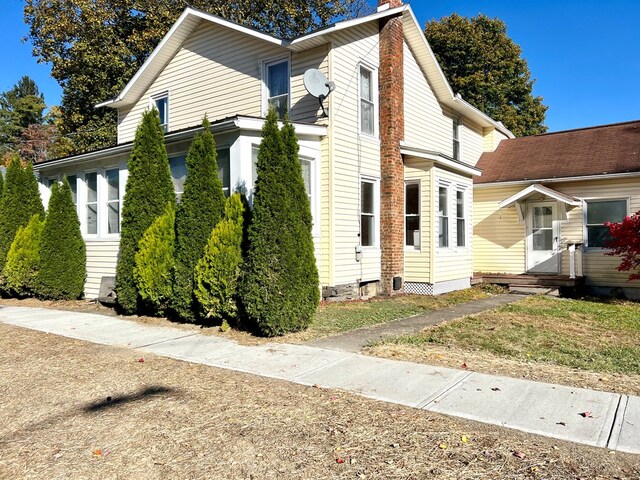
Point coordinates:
[(485, 66)]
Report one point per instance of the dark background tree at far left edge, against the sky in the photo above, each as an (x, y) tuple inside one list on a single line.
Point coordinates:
[(21, 106)]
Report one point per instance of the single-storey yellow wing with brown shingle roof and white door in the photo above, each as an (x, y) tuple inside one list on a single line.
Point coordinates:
[(541, 201)]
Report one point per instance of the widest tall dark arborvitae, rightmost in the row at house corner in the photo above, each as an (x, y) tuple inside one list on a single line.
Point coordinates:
[(280, 272)]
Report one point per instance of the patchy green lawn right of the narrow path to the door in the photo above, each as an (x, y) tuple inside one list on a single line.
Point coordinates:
[(592, 335)]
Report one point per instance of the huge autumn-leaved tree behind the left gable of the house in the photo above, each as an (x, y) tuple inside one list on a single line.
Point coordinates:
[(96, 46)]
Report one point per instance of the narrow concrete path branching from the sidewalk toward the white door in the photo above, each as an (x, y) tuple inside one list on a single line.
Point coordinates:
[(354, 340)]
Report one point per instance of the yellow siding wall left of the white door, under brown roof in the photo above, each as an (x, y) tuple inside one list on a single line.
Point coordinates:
[(498, 238)]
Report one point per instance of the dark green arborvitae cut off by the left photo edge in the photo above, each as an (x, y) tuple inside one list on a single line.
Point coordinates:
[(20, 201)]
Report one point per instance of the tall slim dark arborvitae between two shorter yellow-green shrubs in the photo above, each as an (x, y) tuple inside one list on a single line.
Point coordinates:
[(201, 208)]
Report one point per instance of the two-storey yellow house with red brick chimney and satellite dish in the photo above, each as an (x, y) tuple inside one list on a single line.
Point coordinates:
[(388, 158)]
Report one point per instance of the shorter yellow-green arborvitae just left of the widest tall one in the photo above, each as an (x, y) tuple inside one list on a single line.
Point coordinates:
[(216, 273)]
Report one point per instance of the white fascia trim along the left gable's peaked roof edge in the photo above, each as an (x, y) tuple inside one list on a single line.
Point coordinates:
[(178, 25)]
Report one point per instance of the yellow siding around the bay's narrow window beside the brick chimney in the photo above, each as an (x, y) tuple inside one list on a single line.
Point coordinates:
[(417, 263)]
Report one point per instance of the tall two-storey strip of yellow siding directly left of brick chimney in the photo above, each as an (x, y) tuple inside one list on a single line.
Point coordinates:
[(353, 156)]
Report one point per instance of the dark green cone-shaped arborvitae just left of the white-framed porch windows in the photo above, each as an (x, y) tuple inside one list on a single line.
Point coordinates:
[(63, 256)]
